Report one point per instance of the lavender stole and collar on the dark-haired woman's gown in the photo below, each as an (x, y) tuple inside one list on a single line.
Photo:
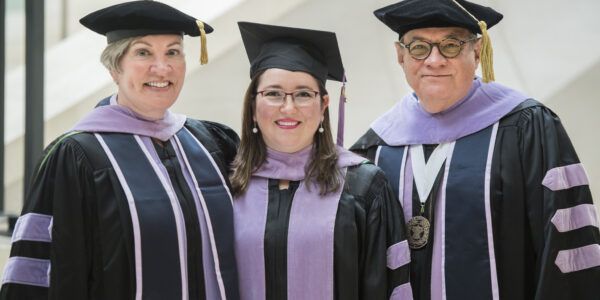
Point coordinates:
[(310, 231)]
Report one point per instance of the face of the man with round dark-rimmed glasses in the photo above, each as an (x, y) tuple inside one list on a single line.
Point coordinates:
[(439, 82)]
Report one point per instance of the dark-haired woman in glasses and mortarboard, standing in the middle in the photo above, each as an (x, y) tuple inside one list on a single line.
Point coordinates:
[(312, 220)]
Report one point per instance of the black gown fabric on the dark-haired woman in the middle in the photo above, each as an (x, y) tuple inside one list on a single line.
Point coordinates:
[(368, 221)]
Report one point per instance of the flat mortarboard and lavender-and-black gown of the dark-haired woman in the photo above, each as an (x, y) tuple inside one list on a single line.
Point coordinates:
[(297, 243)]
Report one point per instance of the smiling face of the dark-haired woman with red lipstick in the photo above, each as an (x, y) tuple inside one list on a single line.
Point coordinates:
[(287, 127)]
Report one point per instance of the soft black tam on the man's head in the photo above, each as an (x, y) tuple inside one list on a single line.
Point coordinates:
[(407, 15)]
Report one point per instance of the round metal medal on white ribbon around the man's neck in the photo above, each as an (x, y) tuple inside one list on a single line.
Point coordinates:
[(424, 175)]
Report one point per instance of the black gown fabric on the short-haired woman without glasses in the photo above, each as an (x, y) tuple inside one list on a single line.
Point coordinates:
[(92, 251)]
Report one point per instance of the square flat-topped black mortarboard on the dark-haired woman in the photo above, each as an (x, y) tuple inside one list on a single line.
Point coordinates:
[(295, 49)]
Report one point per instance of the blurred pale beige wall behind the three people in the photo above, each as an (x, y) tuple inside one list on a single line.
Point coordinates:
[(546, 48)]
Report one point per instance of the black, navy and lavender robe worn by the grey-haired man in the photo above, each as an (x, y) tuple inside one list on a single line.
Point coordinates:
[(510, 209)]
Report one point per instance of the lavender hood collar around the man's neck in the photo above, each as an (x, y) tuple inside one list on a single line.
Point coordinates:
[(407, 123)]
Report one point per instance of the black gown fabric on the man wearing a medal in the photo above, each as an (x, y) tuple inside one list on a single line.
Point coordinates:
[(530, 141)]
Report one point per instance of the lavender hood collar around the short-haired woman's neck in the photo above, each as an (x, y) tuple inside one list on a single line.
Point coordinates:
[(120, 119)]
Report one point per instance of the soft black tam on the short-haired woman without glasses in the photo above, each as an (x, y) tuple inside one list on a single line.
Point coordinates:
[(138, 18)]
